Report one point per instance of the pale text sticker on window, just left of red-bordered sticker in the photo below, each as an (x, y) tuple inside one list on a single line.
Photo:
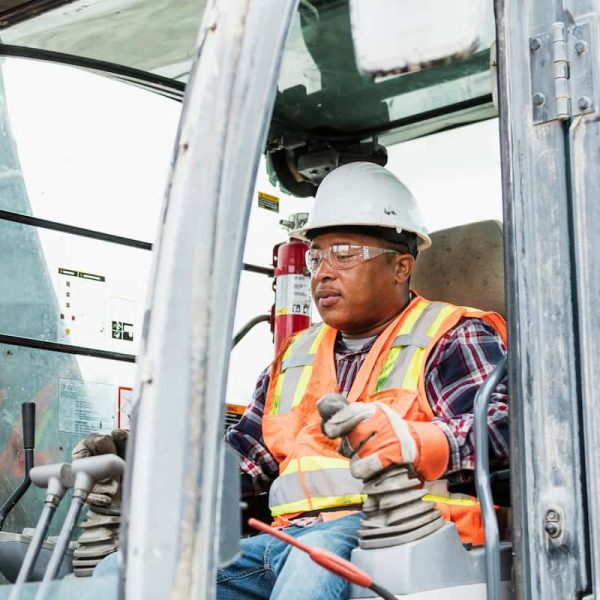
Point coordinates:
[(85, 406)]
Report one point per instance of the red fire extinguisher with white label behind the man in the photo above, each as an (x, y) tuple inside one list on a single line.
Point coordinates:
[(292, 308)]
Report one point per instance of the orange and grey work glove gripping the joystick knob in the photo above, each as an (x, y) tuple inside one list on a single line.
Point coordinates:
[(375, 437)]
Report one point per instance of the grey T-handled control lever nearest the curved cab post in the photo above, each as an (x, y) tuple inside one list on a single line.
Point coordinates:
[(85, 471)]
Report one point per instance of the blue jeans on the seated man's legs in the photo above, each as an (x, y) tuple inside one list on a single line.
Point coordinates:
[(269, 568)]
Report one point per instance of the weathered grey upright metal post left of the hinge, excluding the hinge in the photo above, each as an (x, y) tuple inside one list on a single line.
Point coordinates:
[(545, 427)]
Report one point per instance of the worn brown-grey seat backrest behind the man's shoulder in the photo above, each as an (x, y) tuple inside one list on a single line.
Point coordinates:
[(464, 266)]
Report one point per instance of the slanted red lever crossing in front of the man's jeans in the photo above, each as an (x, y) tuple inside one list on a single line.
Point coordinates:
[(336, 564)]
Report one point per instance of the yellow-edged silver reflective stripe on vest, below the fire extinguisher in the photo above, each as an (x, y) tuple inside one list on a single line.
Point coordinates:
[(296, 369)]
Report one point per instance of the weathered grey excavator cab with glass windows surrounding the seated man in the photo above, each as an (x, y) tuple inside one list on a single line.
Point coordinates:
[(228, 108)]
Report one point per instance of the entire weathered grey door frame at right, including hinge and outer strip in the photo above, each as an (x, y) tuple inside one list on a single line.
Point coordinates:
[(545, 244)]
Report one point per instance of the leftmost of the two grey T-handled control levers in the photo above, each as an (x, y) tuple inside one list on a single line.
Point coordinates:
[(56, 479)]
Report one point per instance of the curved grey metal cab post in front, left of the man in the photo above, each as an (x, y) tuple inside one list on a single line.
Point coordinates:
[(174, 518)]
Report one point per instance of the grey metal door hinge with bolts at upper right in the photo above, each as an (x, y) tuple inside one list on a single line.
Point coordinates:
[(562, 72)]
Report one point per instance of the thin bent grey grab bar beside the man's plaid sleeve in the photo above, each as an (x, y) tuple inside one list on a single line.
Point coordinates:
[(482, 480)]
